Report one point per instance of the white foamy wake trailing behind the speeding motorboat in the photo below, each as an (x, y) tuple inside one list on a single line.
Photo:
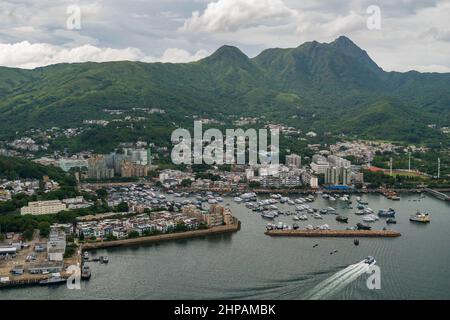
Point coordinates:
[(338, 281)]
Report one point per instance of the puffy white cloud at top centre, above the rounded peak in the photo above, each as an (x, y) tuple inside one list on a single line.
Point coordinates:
[(232, 15)]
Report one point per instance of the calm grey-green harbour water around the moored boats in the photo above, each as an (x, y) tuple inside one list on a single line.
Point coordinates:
[(250, 265)]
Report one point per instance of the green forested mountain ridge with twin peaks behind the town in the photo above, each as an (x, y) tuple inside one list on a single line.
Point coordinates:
[(323, 86)]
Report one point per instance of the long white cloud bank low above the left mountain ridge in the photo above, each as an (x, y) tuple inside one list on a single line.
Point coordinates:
[(26, 55)]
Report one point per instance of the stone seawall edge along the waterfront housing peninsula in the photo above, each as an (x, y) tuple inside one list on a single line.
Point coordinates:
[(236, 226)]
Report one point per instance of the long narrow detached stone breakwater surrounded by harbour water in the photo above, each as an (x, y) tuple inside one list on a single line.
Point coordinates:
[(334, 233)]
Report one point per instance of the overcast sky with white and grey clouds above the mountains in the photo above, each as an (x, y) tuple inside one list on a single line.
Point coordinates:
[(399, 35)]
